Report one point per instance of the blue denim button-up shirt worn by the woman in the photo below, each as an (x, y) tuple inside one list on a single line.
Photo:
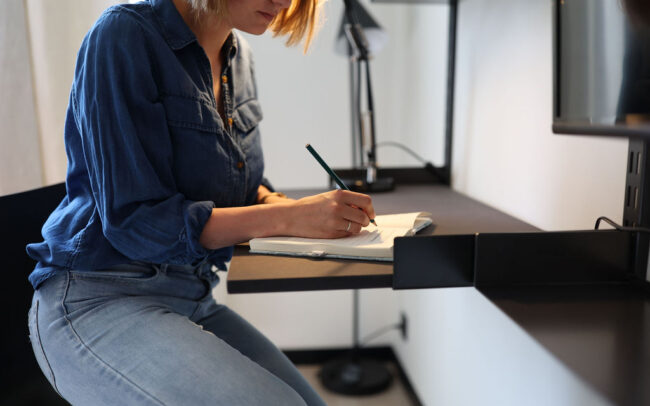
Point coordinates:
[(149, 156)]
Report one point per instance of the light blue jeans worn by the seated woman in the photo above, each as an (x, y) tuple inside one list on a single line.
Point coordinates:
[(153, 335)]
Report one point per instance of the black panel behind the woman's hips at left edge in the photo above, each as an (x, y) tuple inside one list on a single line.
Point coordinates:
[(21, 217)]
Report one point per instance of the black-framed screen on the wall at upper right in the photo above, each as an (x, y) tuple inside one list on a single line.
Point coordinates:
[(601, 67)]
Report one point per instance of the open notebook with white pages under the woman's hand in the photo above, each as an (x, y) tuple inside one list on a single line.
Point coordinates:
[(372, 243)]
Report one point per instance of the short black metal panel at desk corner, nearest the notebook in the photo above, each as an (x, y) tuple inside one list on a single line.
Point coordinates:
[(433, 261)]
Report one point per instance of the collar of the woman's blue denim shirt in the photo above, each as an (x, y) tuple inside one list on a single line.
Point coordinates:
[(177, 34)]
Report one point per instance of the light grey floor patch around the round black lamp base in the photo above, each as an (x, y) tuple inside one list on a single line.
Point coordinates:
[(395, 395)]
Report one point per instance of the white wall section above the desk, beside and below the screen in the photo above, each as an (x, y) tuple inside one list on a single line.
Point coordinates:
[(504, 151)]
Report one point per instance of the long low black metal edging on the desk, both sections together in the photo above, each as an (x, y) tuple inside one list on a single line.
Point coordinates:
[(511, 259)]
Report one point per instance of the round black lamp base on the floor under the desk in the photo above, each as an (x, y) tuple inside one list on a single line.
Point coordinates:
[(354, 376)]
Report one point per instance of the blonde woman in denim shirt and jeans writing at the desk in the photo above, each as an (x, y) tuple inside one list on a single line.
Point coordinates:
[(164, 176)]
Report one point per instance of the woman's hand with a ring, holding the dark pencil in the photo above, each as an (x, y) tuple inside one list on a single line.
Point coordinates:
[(333, 214)]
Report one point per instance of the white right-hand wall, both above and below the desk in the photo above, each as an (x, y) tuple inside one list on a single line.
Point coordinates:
[(506, 156)]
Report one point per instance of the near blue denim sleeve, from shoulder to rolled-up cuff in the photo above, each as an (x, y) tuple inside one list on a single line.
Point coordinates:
[(128, 150)]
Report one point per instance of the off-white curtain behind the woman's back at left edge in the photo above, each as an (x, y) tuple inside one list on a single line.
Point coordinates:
[(39, 40)]
